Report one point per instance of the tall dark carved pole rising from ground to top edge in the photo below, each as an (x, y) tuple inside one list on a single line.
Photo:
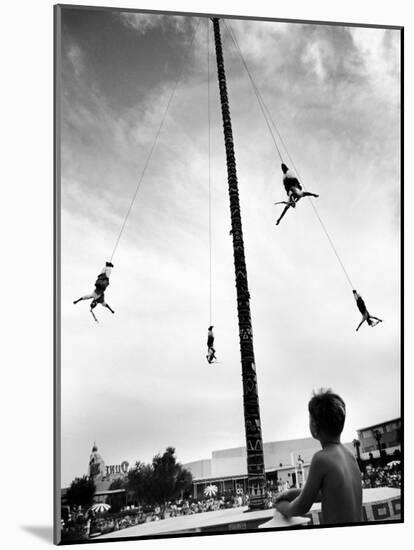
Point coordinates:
[(254, 443)]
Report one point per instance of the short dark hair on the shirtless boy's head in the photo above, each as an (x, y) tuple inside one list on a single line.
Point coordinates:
[(328, 411)]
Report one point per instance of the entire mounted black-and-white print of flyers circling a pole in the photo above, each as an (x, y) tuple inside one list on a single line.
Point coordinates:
[(228, 202)]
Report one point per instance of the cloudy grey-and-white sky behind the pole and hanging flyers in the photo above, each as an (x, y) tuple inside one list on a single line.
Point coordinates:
[(138, 381)]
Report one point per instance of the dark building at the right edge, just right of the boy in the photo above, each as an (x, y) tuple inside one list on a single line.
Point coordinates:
[(388, 434)]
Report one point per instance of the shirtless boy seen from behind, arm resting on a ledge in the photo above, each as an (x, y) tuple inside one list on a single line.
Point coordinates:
[(334, 477)]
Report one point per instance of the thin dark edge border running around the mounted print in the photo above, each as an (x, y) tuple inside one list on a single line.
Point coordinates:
[(57, 254)]
